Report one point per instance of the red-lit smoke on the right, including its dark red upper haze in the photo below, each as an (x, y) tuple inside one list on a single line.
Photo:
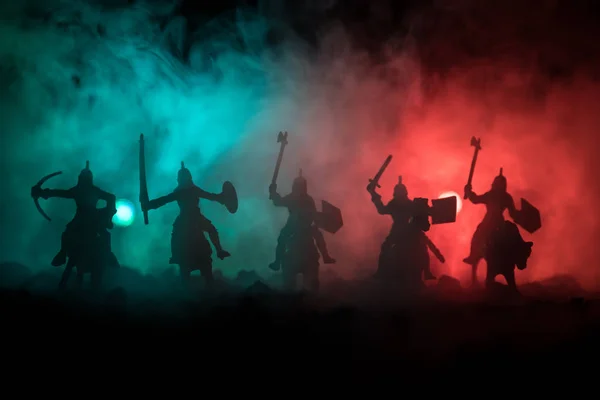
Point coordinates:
[(543, 132)]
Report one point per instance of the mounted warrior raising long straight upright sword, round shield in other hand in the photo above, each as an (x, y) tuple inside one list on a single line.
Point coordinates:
[(189, 247)]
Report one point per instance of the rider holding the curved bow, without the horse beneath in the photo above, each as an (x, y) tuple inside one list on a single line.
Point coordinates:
[(86, 197)]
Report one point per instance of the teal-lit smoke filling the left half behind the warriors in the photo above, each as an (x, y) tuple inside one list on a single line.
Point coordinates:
[(80, 95)]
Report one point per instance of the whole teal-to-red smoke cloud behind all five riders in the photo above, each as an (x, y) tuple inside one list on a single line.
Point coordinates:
[(81, 80)]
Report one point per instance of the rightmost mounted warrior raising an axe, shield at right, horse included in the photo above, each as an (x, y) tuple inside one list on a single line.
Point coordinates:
[(497, 240)]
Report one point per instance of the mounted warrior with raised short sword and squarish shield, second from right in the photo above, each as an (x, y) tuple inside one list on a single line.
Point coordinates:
[(404, 256)]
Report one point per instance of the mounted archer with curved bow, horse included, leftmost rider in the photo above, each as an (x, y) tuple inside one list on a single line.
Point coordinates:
[(86, 242)]
